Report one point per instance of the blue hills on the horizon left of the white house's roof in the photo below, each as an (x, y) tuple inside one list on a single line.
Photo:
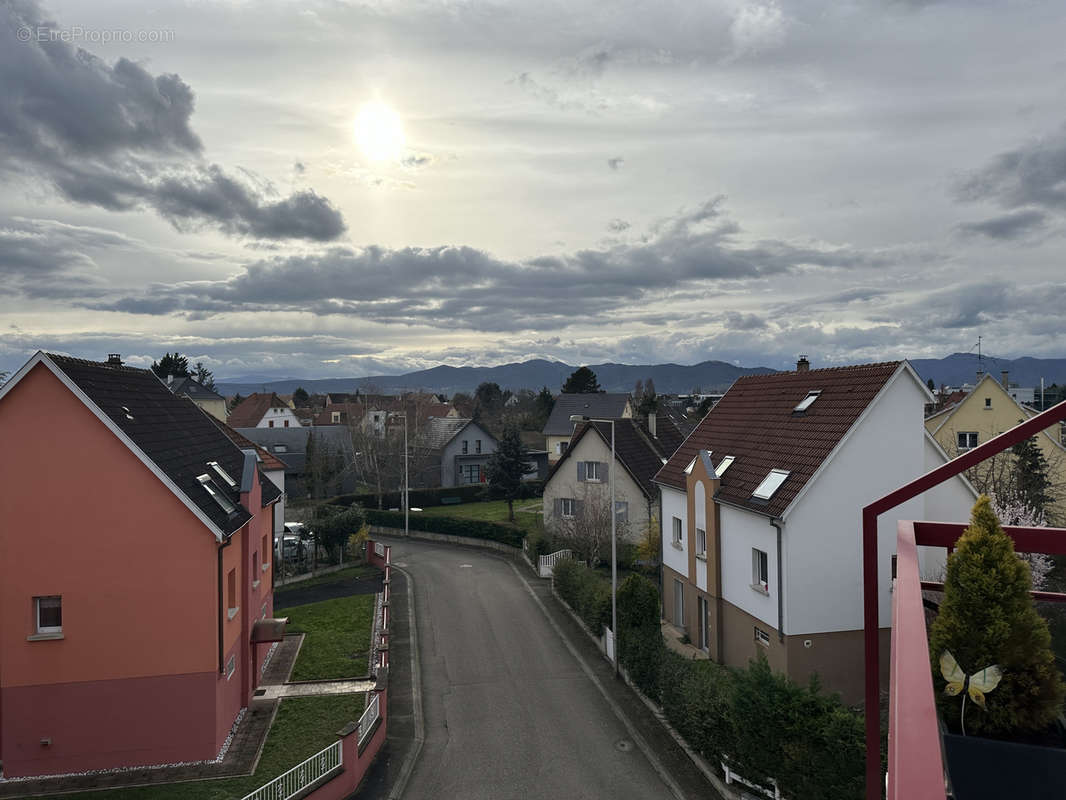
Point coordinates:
[(531, 375)]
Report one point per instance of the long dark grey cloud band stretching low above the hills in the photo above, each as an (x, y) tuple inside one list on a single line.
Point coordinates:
[(470, 289)]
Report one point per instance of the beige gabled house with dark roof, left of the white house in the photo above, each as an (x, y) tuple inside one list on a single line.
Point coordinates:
[(579, 483)]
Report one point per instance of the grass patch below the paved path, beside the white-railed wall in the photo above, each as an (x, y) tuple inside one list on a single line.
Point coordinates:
[(303, 727)]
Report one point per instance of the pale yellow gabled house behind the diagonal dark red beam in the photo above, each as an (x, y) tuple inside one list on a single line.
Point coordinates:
[(986, 412)]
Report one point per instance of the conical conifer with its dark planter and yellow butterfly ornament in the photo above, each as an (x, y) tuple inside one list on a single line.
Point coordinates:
[(990, 648)]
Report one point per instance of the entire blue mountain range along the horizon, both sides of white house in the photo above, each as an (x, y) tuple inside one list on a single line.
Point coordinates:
[(710, 376)]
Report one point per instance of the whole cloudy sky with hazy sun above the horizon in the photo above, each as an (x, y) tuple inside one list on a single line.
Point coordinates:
[(333, 188)]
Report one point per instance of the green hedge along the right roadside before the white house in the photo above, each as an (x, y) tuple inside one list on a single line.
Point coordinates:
[(769, 726)]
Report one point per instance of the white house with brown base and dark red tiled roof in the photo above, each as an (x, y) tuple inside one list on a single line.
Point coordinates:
[(762, 516)]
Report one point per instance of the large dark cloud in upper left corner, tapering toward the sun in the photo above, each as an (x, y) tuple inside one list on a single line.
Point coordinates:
[(120, 138)]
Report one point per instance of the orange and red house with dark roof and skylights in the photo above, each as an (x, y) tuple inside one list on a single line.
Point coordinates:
[(135, 572)]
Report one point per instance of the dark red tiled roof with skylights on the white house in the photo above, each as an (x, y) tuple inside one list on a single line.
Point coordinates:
[(755, 424)]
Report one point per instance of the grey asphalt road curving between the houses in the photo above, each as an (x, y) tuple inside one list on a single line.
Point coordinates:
[(509, 710)]
